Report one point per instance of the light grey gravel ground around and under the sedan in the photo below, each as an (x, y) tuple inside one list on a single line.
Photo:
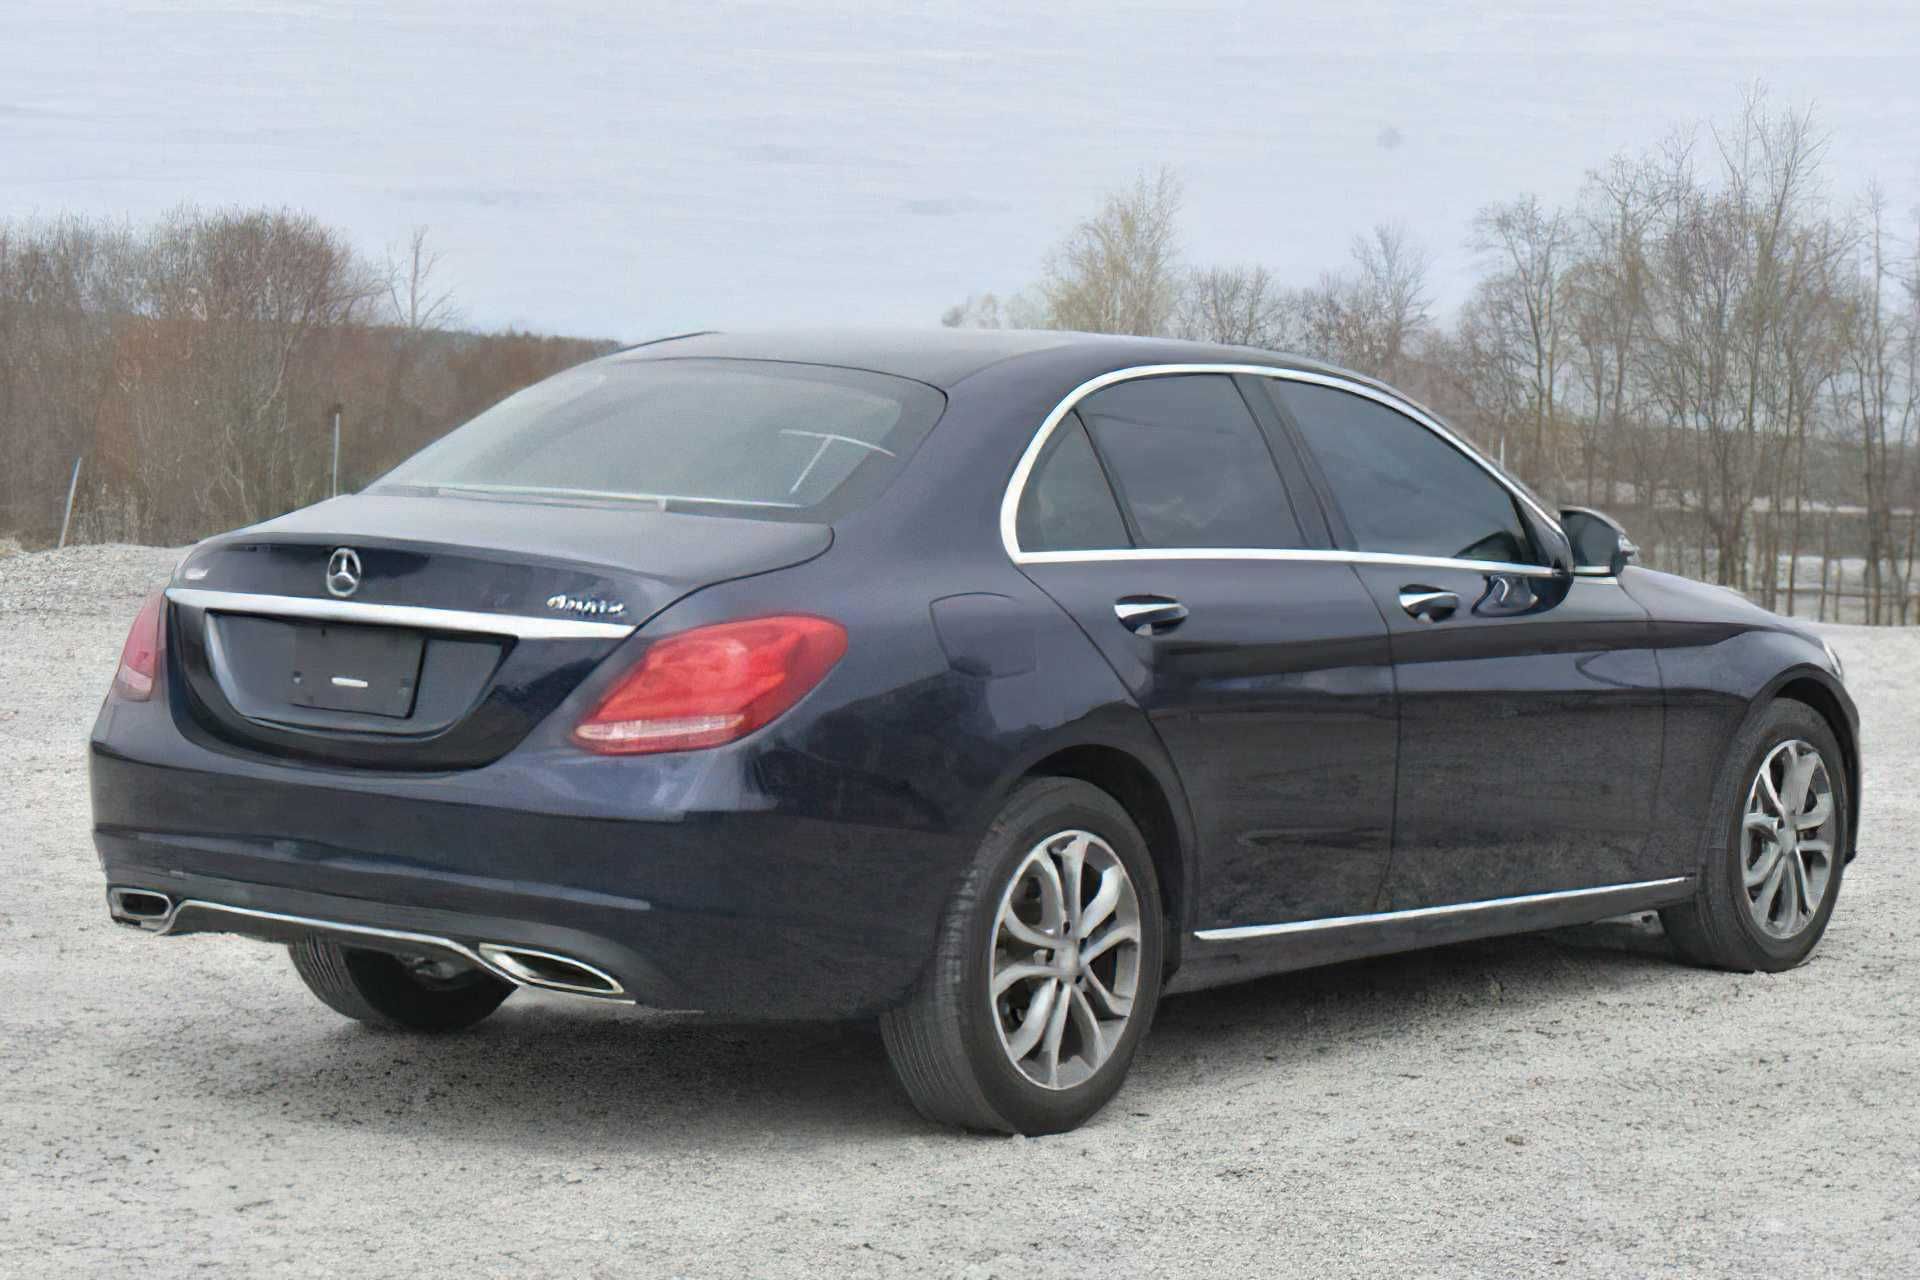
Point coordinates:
[(1564, 1104)]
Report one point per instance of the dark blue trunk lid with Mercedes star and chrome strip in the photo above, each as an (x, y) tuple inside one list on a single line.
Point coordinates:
[(431, 632)]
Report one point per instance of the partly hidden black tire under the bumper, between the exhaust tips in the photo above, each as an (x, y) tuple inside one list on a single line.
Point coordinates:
[(385, 991)]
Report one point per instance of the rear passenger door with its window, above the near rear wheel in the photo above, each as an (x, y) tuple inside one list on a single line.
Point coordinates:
[(1159, 517)]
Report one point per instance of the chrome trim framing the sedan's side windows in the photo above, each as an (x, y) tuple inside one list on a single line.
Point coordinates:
[(1030, 460)]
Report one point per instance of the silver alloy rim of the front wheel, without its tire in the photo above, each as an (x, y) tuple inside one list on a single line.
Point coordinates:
[(1787, 840)]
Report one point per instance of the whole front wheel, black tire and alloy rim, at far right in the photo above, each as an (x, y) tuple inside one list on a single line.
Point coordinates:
[(1740, 928)]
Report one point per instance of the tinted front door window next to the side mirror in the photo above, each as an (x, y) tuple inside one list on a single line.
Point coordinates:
[(1403, 488)]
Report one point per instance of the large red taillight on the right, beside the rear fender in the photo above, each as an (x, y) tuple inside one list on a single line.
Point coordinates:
[(715, 684)]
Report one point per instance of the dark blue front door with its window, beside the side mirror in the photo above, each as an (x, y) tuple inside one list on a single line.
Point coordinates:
[(1529, 705)]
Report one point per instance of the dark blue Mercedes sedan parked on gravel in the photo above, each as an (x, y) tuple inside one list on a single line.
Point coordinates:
[(988, 684)]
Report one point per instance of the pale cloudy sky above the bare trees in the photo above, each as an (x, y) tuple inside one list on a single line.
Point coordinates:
[(631, 170)]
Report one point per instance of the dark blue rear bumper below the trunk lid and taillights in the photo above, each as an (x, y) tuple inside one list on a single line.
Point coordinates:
[(729, 901)]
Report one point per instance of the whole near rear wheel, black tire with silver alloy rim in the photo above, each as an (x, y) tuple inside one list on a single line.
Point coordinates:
[(955, 1047)]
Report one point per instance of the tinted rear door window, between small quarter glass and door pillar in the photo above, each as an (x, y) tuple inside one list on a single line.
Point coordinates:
[(1189, 463)]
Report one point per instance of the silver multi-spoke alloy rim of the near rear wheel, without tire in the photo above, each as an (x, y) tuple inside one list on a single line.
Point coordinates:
[(1067, 959)]
